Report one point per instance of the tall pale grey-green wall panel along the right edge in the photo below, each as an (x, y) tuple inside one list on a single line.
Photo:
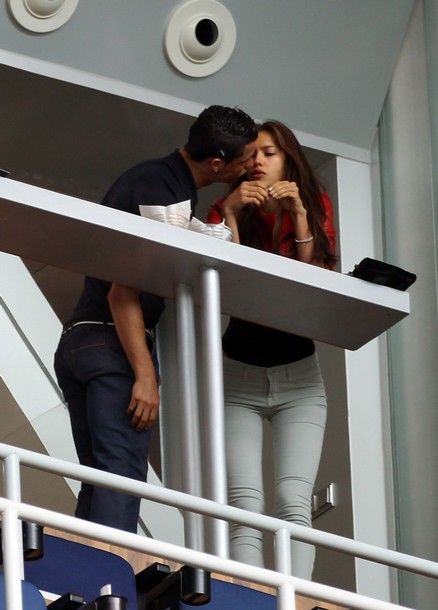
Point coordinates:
[(409, 171)]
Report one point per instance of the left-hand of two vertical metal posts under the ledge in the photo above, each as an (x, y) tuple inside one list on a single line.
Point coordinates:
[(188, 392)]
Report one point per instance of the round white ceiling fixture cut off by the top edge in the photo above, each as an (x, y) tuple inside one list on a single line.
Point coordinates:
[(42, 15)]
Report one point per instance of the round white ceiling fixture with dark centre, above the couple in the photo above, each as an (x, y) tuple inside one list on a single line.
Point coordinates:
[(200, 37)]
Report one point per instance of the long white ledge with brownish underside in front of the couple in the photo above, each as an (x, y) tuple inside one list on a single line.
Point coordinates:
[(281, 293)]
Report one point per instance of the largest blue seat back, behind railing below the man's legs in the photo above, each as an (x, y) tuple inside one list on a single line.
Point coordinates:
[(77, 568)]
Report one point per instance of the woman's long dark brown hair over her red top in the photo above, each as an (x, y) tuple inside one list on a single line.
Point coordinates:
[(297, 170)]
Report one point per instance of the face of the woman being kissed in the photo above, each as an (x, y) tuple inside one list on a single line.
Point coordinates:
[(269, 160)]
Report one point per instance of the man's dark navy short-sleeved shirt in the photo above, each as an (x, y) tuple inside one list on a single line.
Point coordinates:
[(155, 182)]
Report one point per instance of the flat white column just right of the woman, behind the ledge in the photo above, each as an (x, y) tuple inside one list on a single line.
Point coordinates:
[(369, 449)]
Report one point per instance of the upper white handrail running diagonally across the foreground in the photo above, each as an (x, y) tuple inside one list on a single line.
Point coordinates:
[(220, 511)]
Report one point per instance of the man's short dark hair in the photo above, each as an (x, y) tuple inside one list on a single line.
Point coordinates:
[(221, 132)]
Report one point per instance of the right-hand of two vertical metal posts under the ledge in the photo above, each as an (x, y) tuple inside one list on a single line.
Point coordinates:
[(214, 400)]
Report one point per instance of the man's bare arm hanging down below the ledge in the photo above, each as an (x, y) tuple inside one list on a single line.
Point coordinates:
[(128, 318)]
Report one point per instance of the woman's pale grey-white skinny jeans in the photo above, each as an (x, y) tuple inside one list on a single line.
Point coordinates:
[(292, 398)]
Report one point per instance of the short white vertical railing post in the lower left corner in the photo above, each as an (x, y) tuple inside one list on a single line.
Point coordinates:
[(12, 558)]
